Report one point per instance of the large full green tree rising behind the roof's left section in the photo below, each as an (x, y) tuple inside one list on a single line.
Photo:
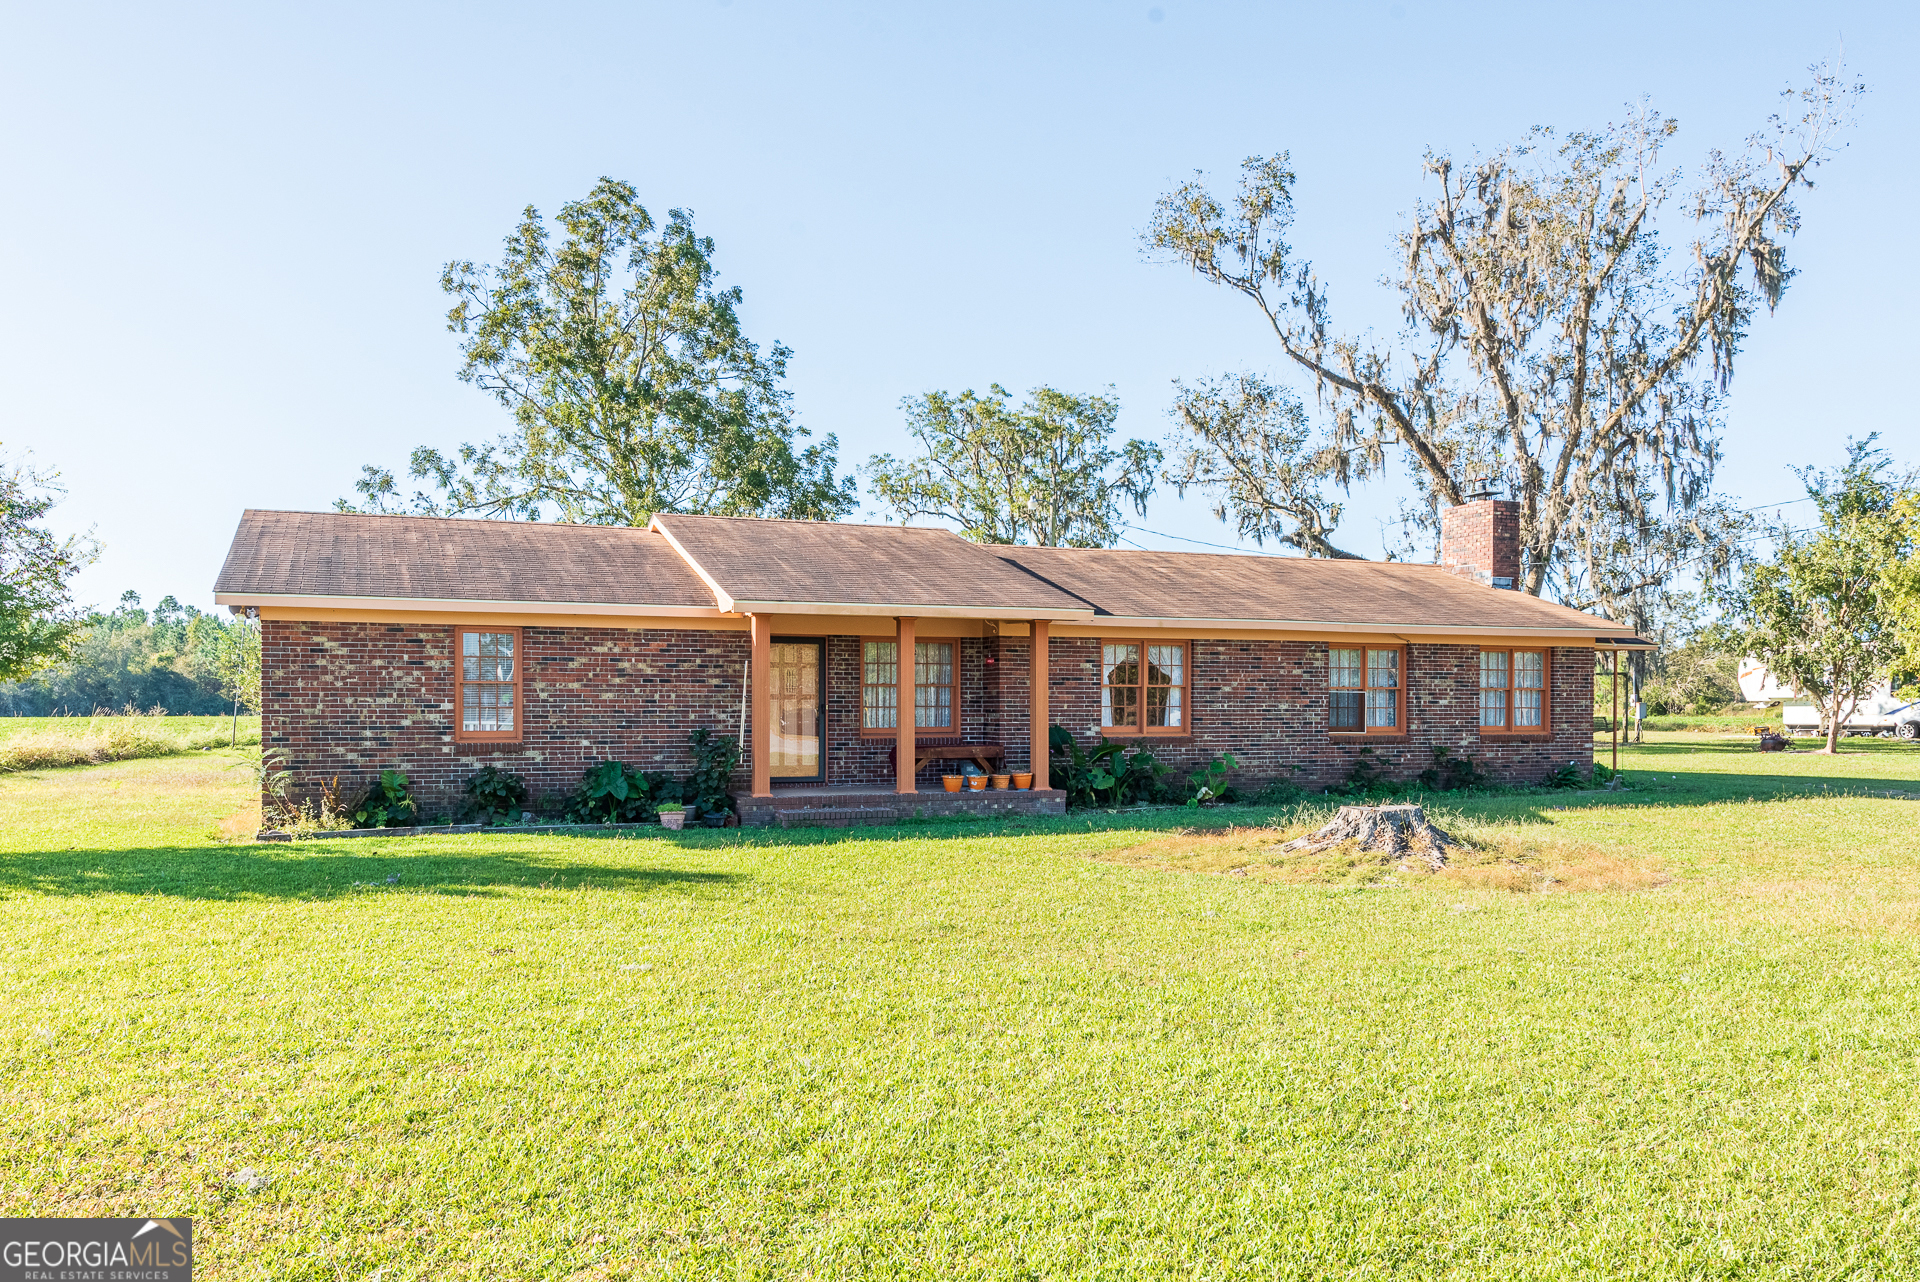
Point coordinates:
[(629, 381)]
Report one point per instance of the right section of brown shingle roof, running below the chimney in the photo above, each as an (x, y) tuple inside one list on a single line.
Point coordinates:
[(1287, 590)]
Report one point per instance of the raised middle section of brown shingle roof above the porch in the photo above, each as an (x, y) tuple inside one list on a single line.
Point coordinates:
[(771, 563)]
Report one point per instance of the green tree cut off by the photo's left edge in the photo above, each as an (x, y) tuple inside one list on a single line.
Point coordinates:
[(37, 617)]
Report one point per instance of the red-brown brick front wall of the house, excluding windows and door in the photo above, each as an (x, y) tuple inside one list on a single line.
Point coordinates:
[(350, 700)]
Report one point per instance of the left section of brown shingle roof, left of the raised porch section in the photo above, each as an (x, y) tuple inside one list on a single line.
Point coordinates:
[(435, 559)]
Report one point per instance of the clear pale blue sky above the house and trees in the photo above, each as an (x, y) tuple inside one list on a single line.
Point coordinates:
[(226, 226)]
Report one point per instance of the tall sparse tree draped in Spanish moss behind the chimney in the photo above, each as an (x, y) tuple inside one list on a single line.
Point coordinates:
[(1554, 337)]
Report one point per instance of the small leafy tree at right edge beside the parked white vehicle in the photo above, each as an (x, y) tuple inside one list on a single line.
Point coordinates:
[(1819, 615)]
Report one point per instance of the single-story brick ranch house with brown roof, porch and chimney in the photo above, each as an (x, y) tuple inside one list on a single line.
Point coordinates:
[(444, 646)]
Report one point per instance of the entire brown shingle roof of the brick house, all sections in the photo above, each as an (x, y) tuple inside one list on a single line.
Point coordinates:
[(819, 567)]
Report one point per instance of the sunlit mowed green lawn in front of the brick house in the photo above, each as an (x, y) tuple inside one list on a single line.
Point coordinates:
[(978, 1051)]
